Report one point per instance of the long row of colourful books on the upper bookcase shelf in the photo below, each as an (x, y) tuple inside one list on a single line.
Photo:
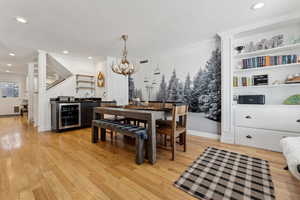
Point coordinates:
[(264, 61)]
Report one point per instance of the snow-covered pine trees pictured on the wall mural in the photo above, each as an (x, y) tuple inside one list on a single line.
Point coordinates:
[(203, 94)]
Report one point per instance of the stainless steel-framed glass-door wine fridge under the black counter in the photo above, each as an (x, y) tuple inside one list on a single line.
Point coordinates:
[(69, 115)]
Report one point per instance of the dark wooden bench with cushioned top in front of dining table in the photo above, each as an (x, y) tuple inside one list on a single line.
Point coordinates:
[(139, 133)]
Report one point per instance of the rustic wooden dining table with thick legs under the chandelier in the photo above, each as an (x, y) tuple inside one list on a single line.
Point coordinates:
[(150, 115)]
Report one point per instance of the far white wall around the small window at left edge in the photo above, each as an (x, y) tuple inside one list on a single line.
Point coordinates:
[(7, 104)]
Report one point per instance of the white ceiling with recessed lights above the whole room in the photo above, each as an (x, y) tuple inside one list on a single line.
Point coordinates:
[(93, 27)]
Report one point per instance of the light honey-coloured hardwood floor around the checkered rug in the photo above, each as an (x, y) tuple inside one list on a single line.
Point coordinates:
[(68, 166)]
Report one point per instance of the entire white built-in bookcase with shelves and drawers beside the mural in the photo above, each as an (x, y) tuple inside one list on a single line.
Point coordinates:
[(273, 47)]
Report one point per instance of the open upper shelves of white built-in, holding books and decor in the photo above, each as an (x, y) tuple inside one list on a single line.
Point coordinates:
[(278, 64)]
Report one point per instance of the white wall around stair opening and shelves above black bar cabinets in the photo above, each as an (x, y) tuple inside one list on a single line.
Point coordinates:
[(116, 86)]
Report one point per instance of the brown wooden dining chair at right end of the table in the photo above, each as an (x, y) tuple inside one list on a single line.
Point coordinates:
[(176, 127)]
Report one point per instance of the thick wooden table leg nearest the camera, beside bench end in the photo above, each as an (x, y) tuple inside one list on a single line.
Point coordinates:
[(151, 143)]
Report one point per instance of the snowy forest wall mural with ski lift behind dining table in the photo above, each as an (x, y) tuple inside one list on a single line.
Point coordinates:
[(200, 88)]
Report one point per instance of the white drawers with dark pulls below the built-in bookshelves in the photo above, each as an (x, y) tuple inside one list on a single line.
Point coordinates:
[(264, 126)]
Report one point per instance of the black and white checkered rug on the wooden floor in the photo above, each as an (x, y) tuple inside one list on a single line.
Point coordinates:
[(221, 175)]
